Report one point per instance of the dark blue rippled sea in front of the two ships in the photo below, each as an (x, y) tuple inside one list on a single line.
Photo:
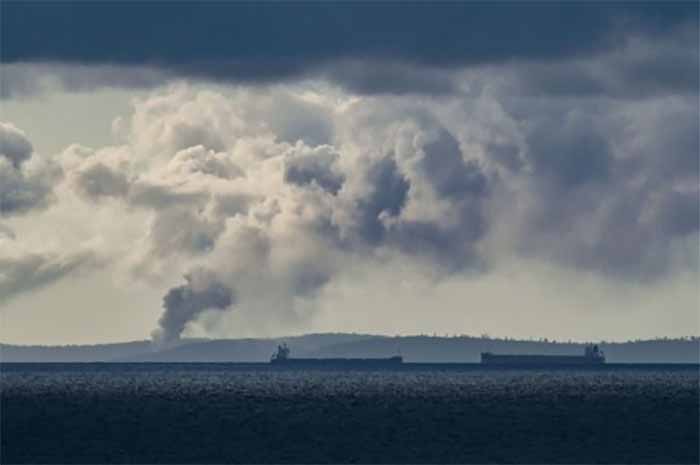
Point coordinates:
[(219, 413)]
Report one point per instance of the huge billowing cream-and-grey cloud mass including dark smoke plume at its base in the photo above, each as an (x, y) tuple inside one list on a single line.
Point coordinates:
[(263, 222)]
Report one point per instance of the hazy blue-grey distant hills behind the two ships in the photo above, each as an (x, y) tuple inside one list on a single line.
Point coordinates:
[(426, 349)]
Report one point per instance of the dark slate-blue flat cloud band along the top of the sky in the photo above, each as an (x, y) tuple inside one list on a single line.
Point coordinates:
[(273, 41)]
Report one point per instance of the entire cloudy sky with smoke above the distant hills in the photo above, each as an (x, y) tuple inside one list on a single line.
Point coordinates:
[(173, 169)]
